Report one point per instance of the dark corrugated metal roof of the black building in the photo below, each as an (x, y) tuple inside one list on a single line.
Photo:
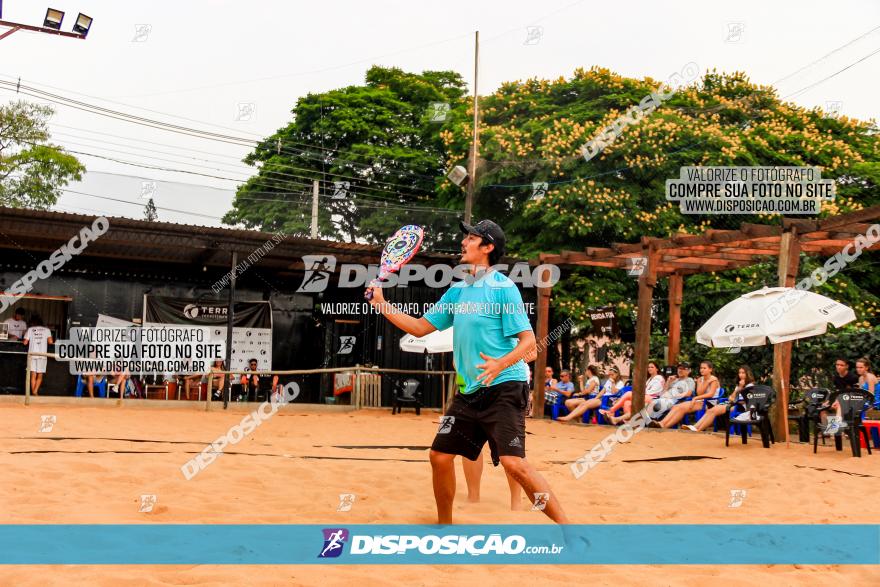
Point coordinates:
[(185, 244)]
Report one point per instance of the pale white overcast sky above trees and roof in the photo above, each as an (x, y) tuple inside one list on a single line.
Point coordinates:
[(200, 59)]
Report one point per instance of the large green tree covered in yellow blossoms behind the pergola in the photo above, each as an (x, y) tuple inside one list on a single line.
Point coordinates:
[(534, 131)]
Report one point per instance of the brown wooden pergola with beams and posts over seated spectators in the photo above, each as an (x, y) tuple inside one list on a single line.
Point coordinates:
[(715, 250)]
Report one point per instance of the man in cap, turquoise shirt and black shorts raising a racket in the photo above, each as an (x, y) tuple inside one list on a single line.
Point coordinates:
[(492, 335)]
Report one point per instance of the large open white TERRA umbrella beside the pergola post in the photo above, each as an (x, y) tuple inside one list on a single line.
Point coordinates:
[(779, 314)]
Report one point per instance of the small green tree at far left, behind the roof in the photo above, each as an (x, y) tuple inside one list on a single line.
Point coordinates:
[(33, 172)]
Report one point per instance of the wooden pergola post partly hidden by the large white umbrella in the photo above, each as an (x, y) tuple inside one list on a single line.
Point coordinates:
[(789, 260)]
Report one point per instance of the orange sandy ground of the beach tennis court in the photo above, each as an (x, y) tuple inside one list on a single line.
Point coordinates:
[(93, 471)]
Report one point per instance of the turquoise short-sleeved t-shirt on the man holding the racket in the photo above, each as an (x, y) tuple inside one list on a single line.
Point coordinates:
[(487, 314)]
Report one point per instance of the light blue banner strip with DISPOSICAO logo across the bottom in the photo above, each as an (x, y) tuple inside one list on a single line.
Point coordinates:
[(684, 544)]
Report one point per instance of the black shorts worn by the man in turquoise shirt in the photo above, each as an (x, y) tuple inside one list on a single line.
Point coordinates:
[(495, 414)]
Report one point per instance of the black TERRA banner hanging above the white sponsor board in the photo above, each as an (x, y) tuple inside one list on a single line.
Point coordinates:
[(167, 310)]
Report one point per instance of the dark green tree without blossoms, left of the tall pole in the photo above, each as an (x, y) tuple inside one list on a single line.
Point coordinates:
[(379, 137)]
